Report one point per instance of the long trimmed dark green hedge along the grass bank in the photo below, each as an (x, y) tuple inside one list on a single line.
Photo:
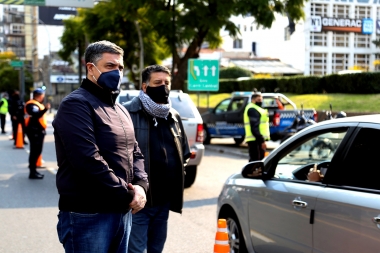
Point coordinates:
[(358, 83)]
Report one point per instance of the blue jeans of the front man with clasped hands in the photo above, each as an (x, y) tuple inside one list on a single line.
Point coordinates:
[(94, 232)]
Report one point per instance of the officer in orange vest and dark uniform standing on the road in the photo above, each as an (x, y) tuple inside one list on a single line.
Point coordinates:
[(35, 125)]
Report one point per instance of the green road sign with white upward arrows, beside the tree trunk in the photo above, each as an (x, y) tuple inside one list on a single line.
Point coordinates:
[(203, 75)]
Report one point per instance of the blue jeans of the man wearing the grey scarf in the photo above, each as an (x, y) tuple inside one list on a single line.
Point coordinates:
[(149, 230)]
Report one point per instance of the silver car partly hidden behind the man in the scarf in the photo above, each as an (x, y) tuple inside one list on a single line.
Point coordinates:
[(192, 123)]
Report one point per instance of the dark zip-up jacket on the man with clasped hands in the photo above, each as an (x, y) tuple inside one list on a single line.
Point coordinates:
[(97, 152)]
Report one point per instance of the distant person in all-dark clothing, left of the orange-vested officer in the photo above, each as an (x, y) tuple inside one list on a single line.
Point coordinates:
[(17, 113)]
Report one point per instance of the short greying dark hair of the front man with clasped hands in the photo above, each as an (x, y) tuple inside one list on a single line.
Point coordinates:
[(95, 50)]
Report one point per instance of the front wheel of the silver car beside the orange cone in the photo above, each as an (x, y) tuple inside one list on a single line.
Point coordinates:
[(235, 235)]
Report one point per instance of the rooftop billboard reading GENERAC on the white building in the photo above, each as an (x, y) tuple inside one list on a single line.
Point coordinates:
[(319, 24)]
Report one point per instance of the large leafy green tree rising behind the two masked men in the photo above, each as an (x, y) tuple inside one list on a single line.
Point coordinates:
[(179, 27)]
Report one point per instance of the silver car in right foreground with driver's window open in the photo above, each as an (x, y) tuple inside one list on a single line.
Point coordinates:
[(273, 206)]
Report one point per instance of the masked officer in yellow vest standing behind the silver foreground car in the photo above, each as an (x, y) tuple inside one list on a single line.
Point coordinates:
[(256, 124)]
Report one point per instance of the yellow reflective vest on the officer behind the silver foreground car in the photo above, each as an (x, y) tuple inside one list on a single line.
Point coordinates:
[(263, 126)]
